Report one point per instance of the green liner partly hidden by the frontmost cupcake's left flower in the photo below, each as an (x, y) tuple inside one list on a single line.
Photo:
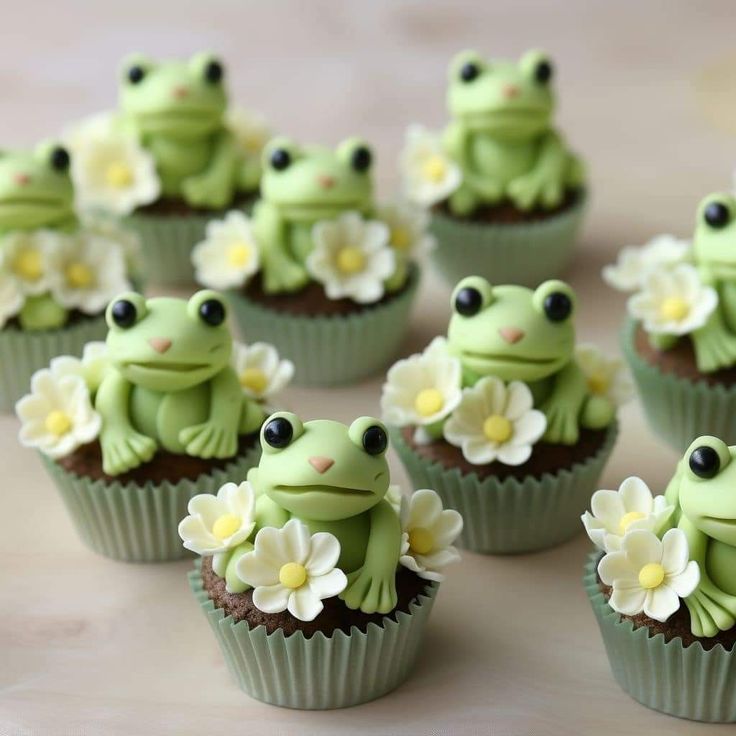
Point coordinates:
[(138, 523)]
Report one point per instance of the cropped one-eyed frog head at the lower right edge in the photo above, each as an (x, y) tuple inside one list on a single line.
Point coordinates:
[(707, 488)]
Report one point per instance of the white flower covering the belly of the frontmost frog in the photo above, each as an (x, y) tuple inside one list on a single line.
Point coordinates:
[(291, 570)]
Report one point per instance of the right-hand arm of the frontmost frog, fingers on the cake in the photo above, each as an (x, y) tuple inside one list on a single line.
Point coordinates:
[(372, 587)]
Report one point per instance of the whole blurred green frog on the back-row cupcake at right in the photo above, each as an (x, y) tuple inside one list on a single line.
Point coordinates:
[(501, 134)]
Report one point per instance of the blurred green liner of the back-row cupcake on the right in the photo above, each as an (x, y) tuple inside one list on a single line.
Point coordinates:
[(514, 253)]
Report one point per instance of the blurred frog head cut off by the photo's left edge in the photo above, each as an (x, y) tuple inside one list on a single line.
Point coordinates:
[(35, 188)]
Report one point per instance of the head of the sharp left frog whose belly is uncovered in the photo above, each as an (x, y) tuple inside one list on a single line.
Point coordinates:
[(166, 344)]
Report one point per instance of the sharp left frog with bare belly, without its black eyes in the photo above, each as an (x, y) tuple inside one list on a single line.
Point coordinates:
[(170, 384)]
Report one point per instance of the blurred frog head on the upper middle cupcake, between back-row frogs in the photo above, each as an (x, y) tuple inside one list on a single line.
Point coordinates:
[(315, 183)]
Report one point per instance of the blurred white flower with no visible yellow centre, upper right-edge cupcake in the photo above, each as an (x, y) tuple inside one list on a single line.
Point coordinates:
[(635, 263)]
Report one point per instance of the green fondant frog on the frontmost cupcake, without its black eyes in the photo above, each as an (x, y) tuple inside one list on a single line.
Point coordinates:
[(344, 497)]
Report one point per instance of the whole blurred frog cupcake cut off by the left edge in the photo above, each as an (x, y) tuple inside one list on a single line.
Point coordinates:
[(56, 274)]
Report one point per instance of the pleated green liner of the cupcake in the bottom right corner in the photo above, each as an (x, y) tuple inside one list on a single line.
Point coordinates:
[(688, 682)]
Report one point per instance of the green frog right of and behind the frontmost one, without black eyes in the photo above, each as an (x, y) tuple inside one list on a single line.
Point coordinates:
[(512, 337)]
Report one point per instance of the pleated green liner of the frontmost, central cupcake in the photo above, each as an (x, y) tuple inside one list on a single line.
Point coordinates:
[(320, 672)]
